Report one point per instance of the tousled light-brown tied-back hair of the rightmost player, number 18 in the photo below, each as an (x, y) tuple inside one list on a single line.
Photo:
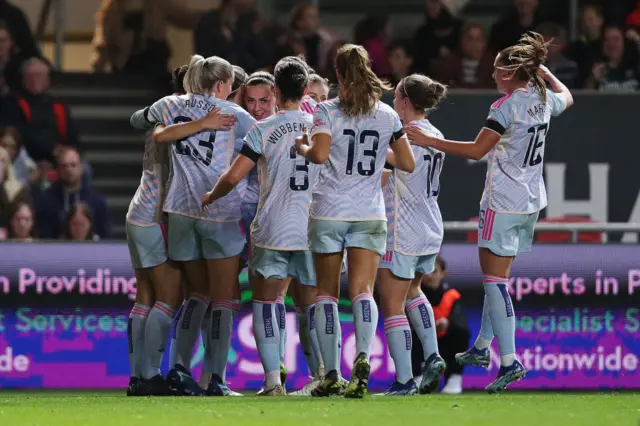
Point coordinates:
[(525, 58)]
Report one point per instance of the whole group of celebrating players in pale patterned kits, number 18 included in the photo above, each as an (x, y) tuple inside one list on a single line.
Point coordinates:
[(263, 169)]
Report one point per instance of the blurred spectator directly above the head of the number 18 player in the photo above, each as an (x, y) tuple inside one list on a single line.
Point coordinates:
[(507, 31)]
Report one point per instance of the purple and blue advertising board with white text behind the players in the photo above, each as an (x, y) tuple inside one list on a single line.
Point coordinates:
[(64, 311)]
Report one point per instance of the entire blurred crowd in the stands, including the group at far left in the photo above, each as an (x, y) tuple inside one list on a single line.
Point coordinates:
[(45, 187)]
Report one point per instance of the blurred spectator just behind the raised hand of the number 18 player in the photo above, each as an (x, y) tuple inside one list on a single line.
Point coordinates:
[(562, 67)]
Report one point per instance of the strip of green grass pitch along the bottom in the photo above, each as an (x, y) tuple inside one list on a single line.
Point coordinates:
[(36, 408)]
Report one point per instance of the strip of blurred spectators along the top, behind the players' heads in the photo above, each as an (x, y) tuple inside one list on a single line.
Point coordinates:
[(131, 36)]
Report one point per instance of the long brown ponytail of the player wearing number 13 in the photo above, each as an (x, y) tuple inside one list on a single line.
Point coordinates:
[(360, 88)]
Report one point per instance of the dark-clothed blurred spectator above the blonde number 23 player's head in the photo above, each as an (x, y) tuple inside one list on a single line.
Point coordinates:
[(236, 32)]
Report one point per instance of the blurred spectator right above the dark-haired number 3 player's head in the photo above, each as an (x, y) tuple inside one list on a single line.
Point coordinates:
[(305, 23)]
